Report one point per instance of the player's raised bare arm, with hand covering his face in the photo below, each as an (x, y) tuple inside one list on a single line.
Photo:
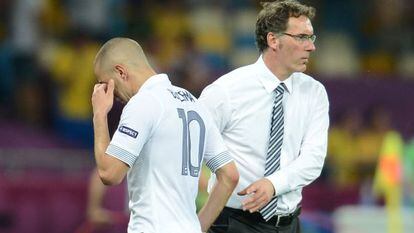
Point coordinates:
[(111, 170)]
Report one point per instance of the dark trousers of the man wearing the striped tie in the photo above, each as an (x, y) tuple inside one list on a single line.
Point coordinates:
[(231, 221)]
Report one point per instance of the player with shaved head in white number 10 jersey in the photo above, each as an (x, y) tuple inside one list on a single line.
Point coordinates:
[(163, 135)]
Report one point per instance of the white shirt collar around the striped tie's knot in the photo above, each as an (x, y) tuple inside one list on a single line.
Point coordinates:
[(269, 81)]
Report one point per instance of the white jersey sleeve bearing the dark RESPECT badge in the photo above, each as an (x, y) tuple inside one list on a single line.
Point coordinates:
[(138, 120)]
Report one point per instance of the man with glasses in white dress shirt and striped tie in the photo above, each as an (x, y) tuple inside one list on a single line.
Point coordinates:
[(274, 121)]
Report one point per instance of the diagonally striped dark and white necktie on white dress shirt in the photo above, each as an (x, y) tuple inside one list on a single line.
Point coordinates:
[(275, 146)]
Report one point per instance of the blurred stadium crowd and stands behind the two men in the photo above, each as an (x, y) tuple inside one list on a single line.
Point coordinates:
[(364, 57)]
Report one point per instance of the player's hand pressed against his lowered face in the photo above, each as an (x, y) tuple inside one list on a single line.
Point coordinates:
[(103, 97)]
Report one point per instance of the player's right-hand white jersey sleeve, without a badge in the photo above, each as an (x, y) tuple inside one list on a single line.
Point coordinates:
[(216, 154)]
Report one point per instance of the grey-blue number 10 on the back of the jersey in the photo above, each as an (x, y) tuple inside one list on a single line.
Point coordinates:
[(193, 147)]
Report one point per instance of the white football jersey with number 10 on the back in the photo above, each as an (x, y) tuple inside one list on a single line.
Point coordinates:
[(163, 135)]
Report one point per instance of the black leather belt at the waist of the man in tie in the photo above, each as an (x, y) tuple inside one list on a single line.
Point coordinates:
[(277, 220)]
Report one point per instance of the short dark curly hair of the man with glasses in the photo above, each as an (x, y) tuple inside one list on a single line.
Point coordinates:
[(274, 17)]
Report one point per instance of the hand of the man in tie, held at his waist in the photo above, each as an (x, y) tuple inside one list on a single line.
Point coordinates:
[(260, 193)]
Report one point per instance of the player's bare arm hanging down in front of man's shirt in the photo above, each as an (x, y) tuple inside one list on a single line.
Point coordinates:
[(227, 179)]
